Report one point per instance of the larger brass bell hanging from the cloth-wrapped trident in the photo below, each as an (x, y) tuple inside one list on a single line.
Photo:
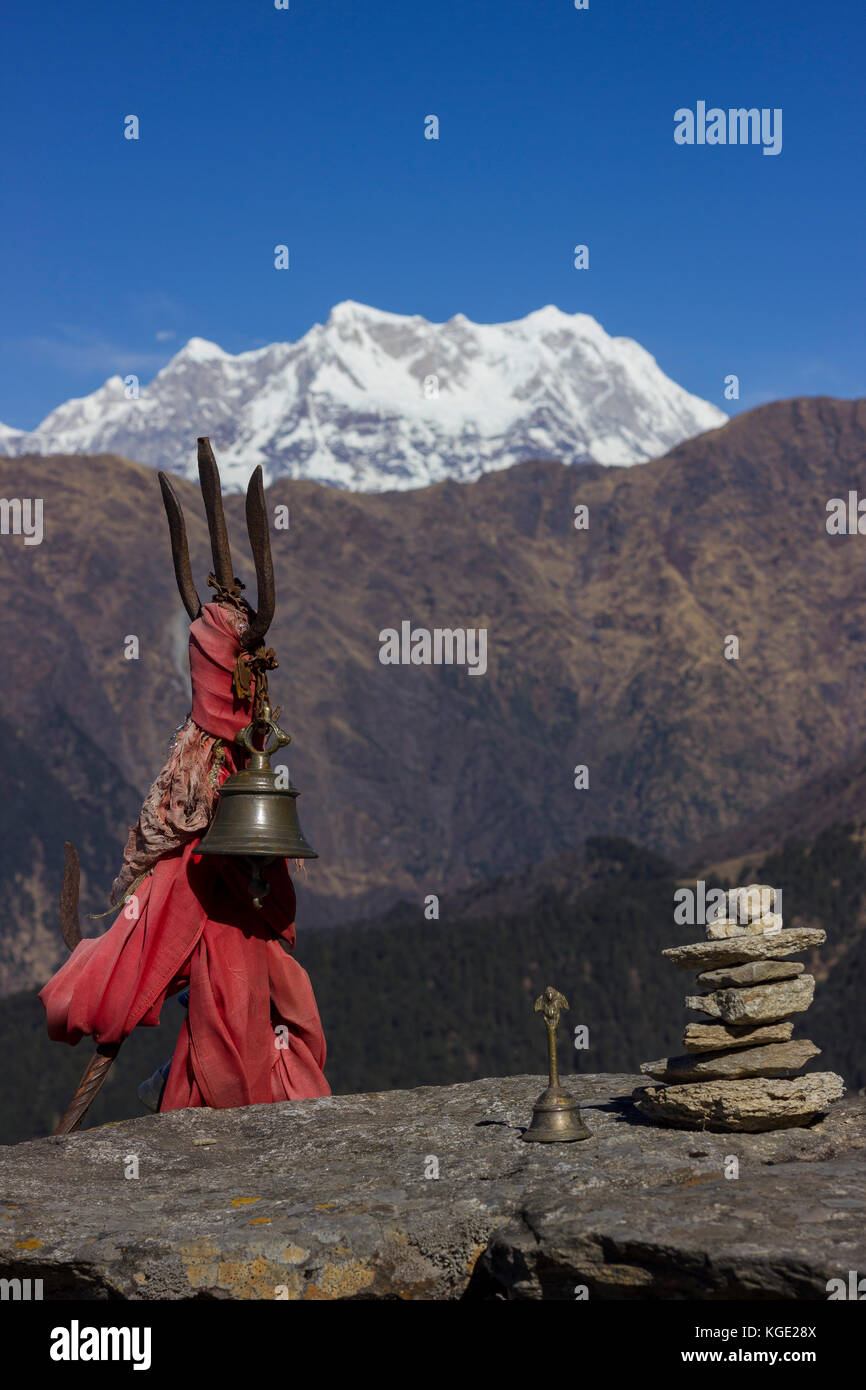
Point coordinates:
[(256, 818)]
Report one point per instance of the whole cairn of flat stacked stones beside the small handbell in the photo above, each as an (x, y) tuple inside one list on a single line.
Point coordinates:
[(739, 1071)]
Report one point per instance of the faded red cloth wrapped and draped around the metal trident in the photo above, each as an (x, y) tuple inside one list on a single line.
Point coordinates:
[(252, 1033)]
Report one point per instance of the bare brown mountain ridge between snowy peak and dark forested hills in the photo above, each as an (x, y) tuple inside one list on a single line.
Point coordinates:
[(605, 647)]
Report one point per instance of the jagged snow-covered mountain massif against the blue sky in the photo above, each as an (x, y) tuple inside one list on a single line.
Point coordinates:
[(372, 400)]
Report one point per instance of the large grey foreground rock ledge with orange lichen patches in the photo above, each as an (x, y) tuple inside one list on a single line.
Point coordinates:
[(336, 1199)]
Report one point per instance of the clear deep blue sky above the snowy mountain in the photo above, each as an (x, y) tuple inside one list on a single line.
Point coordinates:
[(307, 127)]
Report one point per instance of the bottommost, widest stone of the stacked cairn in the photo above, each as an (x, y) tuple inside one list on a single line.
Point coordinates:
[(749, 1106)]
